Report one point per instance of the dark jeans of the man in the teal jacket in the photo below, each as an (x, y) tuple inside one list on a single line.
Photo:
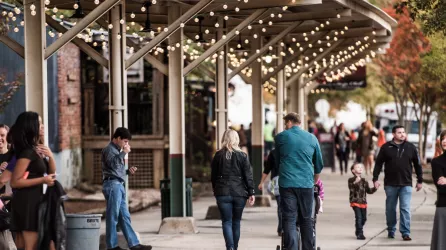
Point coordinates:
[(297, 207)]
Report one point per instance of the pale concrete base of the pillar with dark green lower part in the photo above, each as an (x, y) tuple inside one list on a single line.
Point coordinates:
[(178, 225)]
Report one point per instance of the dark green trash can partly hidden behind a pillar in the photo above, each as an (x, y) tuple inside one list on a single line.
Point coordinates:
[(165, 198)]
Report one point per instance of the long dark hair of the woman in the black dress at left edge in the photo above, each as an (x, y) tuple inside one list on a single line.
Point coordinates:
[(25, 134)]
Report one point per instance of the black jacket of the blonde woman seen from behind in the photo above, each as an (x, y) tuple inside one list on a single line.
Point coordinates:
[(231, 174)]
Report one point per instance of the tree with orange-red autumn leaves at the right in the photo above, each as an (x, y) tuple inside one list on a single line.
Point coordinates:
[(413, 70)]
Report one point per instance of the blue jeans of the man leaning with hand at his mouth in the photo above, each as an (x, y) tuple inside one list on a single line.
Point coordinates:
[(117, 212)]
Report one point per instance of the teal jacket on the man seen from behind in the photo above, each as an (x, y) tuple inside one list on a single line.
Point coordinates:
[(299, 157)]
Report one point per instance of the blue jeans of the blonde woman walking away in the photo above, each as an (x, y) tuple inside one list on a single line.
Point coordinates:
[(231, 210)]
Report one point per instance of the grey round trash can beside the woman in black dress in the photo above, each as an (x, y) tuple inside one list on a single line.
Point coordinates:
[(83, 231)]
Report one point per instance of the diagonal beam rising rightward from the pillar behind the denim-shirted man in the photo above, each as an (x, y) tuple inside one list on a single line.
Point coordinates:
[(174, 26)]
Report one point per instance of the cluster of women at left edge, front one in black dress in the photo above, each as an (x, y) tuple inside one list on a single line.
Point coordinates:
[(36, 213)]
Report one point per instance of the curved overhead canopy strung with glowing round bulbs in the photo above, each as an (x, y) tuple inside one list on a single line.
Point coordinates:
[(328, 36)]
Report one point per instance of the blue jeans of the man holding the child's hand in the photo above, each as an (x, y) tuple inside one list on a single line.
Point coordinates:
[(404, 194)]
